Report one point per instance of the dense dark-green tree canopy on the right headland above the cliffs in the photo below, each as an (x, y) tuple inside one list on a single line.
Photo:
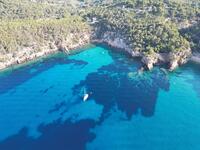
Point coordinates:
[(143, 34)]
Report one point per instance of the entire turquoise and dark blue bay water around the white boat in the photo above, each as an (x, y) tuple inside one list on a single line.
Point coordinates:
[(41, 105)]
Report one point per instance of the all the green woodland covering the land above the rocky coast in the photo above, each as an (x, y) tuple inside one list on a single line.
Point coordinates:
[(146, 26)]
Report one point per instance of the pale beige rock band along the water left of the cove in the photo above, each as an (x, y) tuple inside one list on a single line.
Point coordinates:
[(29, 53)]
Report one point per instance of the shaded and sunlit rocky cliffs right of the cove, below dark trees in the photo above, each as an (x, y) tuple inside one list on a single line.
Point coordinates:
[(171, 60)]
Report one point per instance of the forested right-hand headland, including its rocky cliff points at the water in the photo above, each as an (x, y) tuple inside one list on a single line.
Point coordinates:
[(147, 27)]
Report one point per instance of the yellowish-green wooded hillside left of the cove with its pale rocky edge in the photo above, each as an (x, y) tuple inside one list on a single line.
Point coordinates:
[(30, 29)]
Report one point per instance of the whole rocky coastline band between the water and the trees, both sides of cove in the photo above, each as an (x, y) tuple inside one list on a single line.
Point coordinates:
[(171, 60)]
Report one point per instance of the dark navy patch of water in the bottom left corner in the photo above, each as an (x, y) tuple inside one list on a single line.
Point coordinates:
[(58, 135)]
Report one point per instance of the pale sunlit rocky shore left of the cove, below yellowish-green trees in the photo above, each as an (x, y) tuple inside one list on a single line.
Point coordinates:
[(31, 53)]
